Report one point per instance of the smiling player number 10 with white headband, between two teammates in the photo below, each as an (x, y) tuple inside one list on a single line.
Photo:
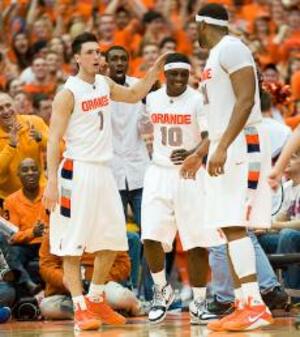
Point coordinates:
[(171, 203)]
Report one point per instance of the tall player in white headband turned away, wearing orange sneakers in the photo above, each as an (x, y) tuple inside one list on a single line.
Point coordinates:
[(239, 159)]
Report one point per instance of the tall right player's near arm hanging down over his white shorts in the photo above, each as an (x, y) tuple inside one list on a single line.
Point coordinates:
[(243, 84)]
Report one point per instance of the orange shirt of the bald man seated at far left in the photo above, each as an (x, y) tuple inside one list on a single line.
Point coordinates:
[(25, 214)]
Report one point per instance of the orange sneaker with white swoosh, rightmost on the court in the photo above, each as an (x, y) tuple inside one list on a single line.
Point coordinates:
[(253, 316)]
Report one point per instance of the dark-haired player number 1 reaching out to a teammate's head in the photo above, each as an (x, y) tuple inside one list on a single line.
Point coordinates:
[(89, 215)]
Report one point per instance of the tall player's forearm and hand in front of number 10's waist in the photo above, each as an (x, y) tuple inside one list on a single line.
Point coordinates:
[(193, 162)]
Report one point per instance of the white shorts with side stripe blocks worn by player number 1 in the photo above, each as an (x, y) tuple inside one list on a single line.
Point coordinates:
[(90, 215)]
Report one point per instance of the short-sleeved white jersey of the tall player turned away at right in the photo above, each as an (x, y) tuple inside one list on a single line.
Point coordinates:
[(228, 56)]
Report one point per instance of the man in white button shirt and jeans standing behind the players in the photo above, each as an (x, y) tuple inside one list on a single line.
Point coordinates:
[(131, 157)]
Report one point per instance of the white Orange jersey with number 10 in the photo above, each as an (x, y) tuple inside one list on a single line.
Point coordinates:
[(177, 121)]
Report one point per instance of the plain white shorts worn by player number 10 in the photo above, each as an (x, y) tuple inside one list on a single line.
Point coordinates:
[(171, 203)]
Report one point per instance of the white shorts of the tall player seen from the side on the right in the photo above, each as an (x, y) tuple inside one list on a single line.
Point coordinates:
[(242, 195)]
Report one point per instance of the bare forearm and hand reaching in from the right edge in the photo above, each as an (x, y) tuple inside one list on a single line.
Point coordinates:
[(291, 147)]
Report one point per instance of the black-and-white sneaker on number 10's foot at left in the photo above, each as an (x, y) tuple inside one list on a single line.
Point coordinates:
[(162, 299)]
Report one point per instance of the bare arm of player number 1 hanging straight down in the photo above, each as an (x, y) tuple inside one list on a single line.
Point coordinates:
[(61, 110)]
